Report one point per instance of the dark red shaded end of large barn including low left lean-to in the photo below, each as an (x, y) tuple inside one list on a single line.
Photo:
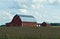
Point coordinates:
[(16, 21)]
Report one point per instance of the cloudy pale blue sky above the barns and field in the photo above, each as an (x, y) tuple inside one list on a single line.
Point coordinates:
[(42, 10)]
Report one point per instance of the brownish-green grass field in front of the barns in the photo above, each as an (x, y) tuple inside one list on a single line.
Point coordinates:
[(29, 33)]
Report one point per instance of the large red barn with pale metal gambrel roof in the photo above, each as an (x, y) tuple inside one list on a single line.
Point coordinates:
[(22, 20)]
